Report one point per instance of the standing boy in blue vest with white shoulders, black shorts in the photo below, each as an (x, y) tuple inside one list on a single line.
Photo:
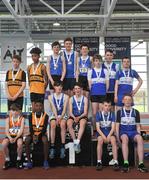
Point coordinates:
[(98, 79)]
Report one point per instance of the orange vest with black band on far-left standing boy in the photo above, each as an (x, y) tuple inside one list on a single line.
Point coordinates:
[(14, 86)]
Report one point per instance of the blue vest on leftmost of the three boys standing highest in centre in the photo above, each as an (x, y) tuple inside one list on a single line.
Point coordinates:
[(56, 66)]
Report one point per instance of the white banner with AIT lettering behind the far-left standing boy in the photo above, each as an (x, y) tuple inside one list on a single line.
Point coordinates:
[(10, 47)]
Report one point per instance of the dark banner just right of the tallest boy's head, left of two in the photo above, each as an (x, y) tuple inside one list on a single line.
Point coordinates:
[(93, 43)]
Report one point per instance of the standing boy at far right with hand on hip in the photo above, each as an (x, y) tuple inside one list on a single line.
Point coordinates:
[(124, 82)]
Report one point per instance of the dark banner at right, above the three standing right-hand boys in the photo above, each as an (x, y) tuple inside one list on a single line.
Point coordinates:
[(121, 46)]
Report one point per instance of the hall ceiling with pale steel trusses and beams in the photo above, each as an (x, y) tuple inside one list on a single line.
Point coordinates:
[(35, 18)]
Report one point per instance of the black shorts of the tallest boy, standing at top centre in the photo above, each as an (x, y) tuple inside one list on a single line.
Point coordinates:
[(69, 83)]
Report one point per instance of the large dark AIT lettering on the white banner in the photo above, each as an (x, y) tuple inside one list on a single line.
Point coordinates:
[(10, 52)]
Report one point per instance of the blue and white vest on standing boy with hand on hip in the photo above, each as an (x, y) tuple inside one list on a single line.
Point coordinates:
[(125, 82)]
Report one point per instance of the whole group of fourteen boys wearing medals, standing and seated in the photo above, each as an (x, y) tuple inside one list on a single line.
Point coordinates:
[(77, 77)]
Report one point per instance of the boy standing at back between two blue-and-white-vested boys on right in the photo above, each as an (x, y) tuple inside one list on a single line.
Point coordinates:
[(112, 68)]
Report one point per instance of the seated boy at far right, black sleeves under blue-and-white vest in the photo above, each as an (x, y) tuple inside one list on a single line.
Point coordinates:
[(128, 128)]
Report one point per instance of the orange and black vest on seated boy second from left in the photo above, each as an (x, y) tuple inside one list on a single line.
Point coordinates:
[(38, 123)]
